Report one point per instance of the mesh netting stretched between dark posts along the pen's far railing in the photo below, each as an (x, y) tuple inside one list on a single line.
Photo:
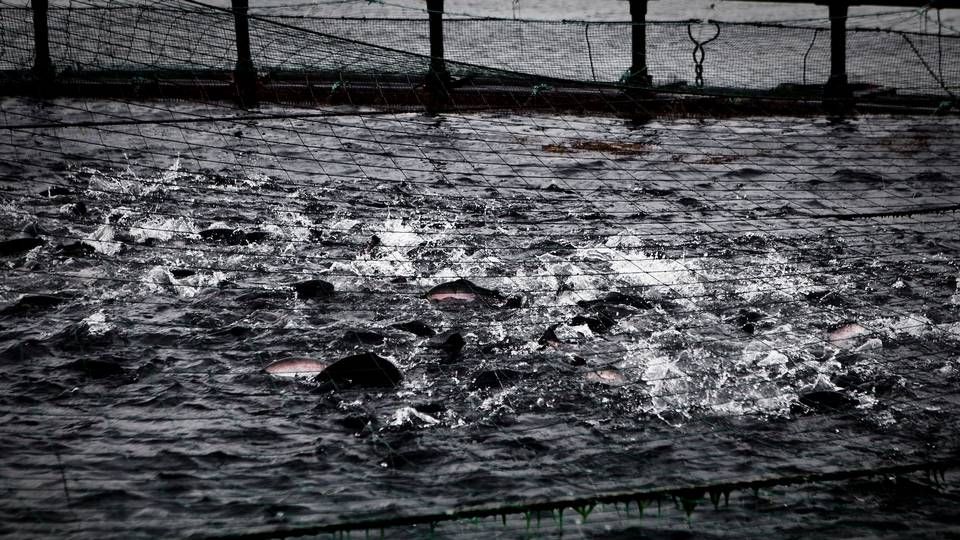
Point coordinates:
[(184, 36)]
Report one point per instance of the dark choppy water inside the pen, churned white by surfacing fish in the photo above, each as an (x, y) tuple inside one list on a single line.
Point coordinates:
[(762, 328)]
